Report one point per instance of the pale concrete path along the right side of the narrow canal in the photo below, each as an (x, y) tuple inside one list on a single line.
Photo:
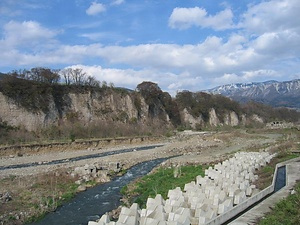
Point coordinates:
[(252, 216)]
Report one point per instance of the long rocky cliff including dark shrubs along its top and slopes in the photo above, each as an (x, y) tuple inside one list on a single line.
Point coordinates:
[(35, 106)]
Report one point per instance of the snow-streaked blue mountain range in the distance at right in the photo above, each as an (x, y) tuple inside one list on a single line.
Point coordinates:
[(272, 92)]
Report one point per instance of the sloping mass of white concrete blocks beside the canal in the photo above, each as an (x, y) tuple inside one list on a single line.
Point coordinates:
[(222, 187)]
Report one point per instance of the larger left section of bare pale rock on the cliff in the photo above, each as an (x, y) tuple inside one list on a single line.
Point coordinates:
[(85, 107)]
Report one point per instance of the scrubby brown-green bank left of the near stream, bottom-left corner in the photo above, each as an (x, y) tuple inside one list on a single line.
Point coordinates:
[(34, 196)]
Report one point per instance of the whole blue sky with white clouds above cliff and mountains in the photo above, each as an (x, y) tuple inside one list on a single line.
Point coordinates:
[(178, 44)]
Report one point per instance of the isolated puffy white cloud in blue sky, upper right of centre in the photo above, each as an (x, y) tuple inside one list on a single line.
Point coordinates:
[(183, 18)]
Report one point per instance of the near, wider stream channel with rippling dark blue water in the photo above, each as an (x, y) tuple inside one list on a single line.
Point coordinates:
[(96, 201)]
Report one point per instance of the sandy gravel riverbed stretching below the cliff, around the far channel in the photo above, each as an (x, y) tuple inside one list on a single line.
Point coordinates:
[(193, 147)]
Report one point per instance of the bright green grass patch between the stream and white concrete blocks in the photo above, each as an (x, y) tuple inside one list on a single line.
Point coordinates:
[(161, 182)]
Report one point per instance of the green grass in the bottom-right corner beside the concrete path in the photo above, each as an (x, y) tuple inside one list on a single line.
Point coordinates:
[(286, 212)]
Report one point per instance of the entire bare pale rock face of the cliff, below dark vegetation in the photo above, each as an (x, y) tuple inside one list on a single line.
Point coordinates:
[(90, 107)]
